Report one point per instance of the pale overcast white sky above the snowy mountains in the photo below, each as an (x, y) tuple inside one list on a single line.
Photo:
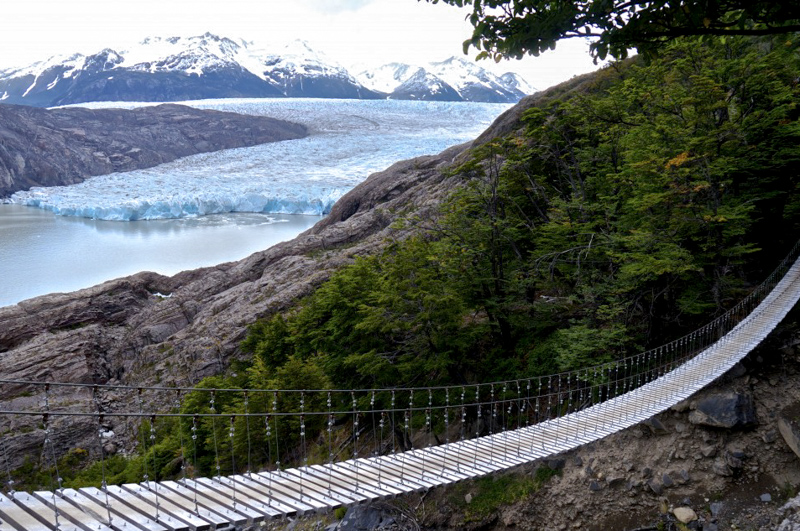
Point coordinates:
[(353, 32)]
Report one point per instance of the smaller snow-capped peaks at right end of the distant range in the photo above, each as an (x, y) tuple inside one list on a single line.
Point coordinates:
[(468, 80)]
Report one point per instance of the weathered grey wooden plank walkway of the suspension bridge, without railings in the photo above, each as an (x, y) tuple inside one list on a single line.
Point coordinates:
[(209, 503)]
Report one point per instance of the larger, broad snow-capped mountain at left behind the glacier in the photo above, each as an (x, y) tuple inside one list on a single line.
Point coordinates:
[(180, 68)]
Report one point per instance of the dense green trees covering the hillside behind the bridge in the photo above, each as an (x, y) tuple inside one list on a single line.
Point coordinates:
[(621, 215)]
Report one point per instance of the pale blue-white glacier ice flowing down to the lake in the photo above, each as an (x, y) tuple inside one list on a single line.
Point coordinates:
[(348, 140)]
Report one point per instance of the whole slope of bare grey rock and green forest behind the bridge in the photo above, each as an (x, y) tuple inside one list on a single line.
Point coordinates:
[(597, 218)]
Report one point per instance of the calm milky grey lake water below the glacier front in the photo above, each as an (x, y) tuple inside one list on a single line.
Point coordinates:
[(44, 253)]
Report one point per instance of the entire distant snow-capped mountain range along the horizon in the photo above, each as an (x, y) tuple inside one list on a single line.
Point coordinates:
[(209, 66)]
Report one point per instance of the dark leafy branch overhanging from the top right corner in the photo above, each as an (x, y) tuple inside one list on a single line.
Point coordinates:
[(513, 28)]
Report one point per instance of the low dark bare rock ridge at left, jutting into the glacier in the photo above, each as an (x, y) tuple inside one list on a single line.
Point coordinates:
[(40, 147)]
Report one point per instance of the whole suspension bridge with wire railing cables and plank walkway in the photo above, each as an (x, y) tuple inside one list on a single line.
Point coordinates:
[(344, 447)]
